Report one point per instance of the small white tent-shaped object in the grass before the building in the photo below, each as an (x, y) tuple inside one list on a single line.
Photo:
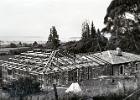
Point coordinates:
[(74, 88)]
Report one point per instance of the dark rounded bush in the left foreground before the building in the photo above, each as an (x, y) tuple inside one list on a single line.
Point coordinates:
[(23, 86)]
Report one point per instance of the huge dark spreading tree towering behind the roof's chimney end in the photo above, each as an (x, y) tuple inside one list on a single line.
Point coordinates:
[(124, 29)]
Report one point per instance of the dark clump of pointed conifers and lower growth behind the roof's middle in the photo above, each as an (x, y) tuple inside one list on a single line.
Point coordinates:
[(91, 41)]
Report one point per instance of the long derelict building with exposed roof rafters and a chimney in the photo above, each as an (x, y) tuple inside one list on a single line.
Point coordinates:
[(63, 68)]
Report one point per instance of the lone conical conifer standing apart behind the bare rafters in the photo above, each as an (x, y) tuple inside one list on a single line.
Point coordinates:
[(53, 39)]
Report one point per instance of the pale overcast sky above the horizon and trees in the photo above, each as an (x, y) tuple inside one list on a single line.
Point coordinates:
[(31, 19)]
